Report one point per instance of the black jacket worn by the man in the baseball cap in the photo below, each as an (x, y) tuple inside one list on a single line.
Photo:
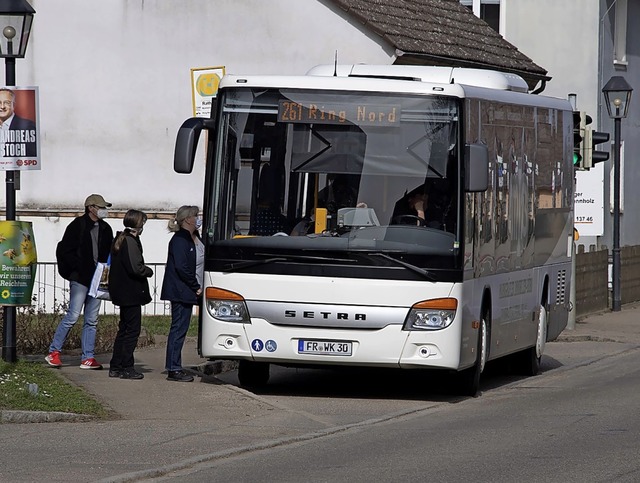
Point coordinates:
[(74, 253)]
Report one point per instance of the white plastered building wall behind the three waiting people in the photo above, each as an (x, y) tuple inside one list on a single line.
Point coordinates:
[(114, 80)]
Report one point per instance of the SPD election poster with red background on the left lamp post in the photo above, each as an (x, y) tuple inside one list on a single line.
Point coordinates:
[(19, 136)]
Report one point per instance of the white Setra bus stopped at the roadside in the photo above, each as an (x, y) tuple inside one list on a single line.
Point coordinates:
[(403, 217)]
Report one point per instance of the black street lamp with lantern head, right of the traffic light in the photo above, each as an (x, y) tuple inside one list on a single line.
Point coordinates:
[(617, 93)]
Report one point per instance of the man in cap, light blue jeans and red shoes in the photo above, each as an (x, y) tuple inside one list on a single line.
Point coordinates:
[(86, 241)]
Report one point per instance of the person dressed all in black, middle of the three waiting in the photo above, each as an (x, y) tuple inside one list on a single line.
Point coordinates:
[(129, 289)]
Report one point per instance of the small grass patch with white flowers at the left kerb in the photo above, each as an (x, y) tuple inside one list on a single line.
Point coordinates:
[(32, 386)]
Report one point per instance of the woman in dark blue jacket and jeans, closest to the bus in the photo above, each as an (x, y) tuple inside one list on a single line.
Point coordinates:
[(182, 284)]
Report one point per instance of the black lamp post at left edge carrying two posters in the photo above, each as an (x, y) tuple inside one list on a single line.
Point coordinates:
[(16, 17)]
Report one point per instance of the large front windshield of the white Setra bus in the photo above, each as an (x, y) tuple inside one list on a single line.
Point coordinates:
[(332, 173)]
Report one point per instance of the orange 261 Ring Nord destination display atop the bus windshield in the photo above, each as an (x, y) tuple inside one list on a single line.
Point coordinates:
[(344, 113)]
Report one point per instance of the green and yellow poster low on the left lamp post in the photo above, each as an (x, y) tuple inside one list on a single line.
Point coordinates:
[(18, 262)]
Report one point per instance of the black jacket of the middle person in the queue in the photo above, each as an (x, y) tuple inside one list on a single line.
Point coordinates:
[(128, 274)]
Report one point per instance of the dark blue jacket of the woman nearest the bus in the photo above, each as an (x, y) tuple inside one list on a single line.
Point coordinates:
[(180, 283)]
